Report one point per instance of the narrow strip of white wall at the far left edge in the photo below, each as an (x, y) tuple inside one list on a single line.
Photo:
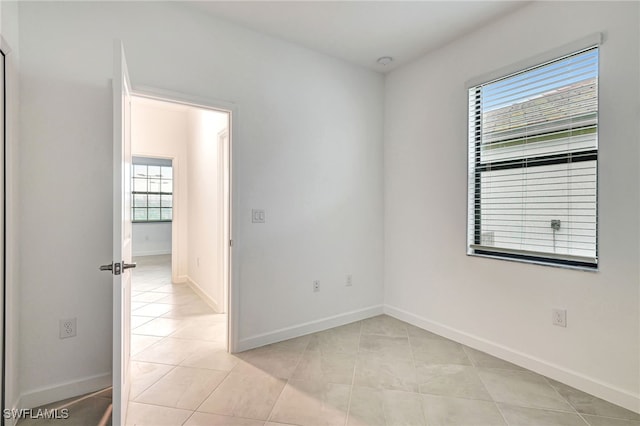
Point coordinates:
[(9, 16)]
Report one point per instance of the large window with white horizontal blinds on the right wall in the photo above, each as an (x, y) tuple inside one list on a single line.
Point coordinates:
[(533, 154)]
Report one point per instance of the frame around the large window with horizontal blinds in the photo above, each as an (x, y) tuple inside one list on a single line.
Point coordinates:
[(474, 100)]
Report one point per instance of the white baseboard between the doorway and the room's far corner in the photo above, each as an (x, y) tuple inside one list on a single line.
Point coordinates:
[(307, 327)]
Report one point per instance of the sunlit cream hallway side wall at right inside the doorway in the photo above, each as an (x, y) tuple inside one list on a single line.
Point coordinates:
[(205, 258)]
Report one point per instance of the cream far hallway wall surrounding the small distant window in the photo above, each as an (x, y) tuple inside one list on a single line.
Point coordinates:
[(159, 130)]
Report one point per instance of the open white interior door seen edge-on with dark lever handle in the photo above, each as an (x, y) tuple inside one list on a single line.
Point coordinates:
[(121, 234)]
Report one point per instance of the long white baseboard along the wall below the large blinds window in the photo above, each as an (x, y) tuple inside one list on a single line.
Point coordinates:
[(561, 374)]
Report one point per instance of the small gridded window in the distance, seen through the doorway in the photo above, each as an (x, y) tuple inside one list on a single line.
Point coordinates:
[(152, 190)]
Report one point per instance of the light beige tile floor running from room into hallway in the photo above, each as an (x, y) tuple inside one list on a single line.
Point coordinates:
[(379, 371)]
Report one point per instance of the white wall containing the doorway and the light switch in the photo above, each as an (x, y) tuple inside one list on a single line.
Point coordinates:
[(307, 149)]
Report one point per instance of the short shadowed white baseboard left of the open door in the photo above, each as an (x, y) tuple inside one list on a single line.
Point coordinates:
[(62, 391)]
